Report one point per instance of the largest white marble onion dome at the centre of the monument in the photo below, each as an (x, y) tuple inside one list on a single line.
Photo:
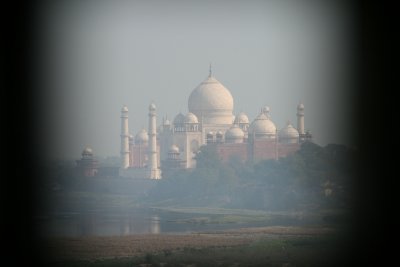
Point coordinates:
[(211, 102)]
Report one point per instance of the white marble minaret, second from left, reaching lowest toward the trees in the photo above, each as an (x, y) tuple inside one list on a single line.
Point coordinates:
[(154, 171)]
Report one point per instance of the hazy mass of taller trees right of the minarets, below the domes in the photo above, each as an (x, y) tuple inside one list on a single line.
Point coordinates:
[(312, 177)]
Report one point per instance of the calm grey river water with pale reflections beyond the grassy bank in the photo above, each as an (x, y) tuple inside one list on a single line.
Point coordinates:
[(139, 221)]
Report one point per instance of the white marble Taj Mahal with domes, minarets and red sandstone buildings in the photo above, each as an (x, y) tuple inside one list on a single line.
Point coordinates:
[(210, 121)]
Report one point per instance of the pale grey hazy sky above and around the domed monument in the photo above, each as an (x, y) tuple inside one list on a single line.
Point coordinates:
[(96, 56)]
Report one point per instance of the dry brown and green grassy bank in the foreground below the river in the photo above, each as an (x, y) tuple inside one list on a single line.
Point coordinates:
[(267, 246)]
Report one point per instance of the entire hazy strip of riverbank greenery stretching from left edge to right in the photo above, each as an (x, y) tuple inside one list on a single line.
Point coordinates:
[(313, 177)]
